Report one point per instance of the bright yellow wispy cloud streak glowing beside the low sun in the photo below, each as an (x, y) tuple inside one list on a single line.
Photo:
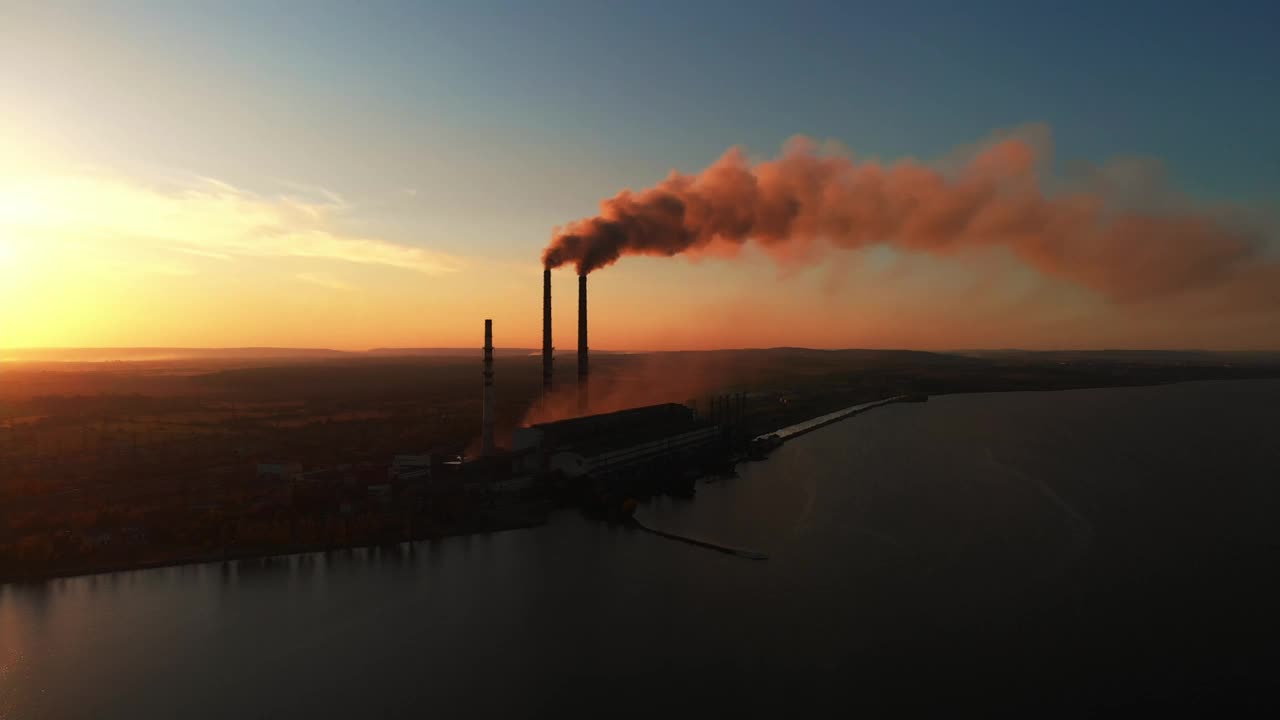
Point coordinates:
[(208, 218)]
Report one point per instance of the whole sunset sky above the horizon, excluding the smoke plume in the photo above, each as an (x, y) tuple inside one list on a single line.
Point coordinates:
[(387, 175)]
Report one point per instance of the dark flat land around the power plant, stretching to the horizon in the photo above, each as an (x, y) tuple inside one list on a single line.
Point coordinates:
[(121, 464)]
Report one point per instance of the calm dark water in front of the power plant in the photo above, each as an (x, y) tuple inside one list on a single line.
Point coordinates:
[(1063, 550)]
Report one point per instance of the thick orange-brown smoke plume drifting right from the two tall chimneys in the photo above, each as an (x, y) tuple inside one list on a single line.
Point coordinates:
[(806, 200)]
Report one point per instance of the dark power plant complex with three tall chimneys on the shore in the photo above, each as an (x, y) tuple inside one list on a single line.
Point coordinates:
[(605, 461)]
